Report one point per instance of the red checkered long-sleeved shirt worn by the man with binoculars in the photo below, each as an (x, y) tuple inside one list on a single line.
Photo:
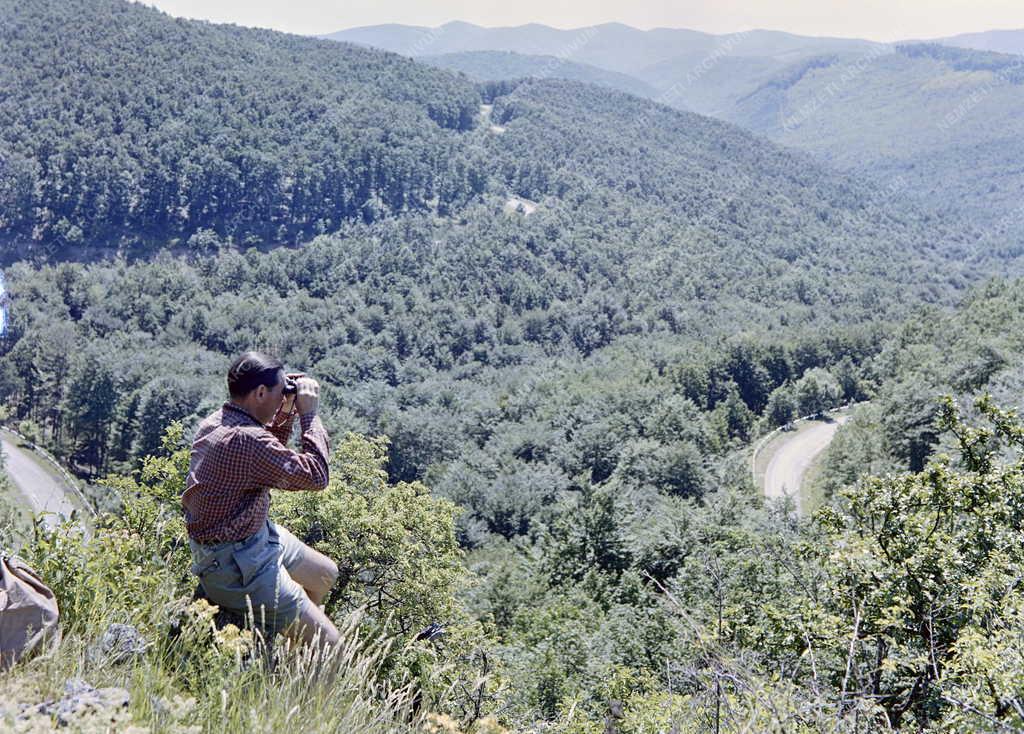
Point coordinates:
[(235, 463)]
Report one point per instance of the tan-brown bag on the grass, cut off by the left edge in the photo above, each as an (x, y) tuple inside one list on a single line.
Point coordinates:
[(28, 612)]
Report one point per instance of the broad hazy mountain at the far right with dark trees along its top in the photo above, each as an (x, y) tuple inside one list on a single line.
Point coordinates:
[(937, 122)]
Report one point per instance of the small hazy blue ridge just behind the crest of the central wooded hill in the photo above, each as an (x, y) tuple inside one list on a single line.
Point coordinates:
[(494, 66)]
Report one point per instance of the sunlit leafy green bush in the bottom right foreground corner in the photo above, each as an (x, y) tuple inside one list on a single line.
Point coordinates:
[(926, 572)]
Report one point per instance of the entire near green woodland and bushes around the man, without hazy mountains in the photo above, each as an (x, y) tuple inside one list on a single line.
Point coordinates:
[(565, 398)]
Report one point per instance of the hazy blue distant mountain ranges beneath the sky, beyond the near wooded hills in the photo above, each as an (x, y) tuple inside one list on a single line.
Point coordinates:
[(907, 115)]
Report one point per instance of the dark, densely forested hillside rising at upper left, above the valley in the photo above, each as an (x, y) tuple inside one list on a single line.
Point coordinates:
[(119, 124)]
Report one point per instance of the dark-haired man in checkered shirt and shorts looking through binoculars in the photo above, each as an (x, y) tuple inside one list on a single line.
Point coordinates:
[(245, 562)]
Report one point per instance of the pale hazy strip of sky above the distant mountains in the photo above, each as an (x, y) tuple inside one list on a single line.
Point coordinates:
[(878, 20)]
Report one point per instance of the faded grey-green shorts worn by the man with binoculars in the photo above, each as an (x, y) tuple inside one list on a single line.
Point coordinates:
[(251, 577)]
